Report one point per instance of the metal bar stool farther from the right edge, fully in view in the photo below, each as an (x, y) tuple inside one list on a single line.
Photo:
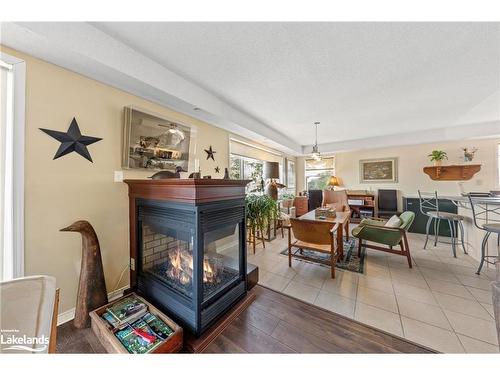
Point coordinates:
[(429, 206)]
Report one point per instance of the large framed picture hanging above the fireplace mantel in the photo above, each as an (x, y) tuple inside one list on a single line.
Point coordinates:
[(153, 142)]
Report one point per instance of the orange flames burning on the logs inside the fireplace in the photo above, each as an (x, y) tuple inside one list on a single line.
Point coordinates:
[(181, 269)]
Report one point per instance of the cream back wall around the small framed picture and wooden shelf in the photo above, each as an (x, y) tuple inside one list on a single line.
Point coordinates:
[(412, 159)]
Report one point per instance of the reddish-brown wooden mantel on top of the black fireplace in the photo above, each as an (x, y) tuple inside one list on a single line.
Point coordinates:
[(187, 190)]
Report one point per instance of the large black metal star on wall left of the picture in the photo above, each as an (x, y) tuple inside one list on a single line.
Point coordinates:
[(72, 140)]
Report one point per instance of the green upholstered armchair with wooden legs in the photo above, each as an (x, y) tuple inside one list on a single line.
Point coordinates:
[(374, 230)]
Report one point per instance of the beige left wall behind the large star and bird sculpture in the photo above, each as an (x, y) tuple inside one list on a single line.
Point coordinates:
[(59, 192)]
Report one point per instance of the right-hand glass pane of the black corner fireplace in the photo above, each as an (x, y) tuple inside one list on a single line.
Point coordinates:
[(222, 266)]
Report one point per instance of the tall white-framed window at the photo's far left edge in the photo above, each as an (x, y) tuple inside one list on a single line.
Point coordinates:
[(12, 73)]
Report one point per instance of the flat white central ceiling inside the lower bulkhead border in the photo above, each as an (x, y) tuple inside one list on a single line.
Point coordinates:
[(359, 79)]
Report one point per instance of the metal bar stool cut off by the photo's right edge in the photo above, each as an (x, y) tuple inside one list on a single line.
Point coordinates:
[(480, 207)]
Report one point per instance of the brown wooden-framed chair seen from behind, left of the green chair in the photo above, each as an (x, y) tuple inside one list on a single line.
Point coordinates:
[(316, 236)]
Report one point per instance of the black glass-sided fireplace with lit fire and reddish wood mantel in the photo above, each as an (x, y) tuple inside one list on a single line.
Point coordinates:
[(188, 248)]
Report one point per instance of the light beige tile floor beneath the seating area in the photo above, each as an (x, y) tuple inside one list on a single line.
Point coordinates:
[(440, 303)]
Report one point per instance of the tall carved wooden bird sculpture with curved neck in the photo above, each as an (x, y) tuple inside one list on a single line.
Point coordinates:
[(92, 288)]
